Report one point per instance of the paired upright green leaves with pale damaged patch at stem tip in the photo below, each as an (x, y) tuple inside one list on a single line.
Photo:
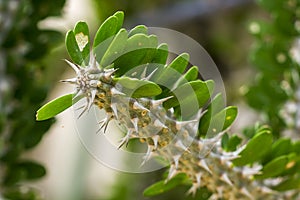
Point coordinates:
[(78, 45)]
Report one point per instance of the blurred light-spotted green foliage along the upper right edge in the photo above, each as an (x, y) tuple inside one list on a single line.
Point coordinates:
[(275, 91)]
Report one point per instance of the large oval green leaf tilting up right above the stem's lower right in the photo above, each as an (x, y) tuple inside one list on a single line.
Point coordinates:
[(257, 147)]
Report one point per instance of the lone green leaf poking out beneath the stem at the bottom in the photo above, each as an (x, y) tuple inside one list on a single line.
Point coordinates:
[(163, 186)]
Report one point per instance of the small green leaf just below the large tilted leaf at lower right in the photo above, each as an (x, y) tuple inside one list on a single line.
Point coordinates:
[(274, 168)]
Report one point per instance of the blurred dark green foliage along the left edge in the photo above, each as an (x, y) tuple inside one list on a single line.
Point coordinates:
[(23, 89)]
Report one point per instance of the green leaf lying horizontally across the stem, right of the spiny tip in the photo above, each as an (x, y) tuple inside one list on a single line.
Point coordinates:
[(137, 88)]
